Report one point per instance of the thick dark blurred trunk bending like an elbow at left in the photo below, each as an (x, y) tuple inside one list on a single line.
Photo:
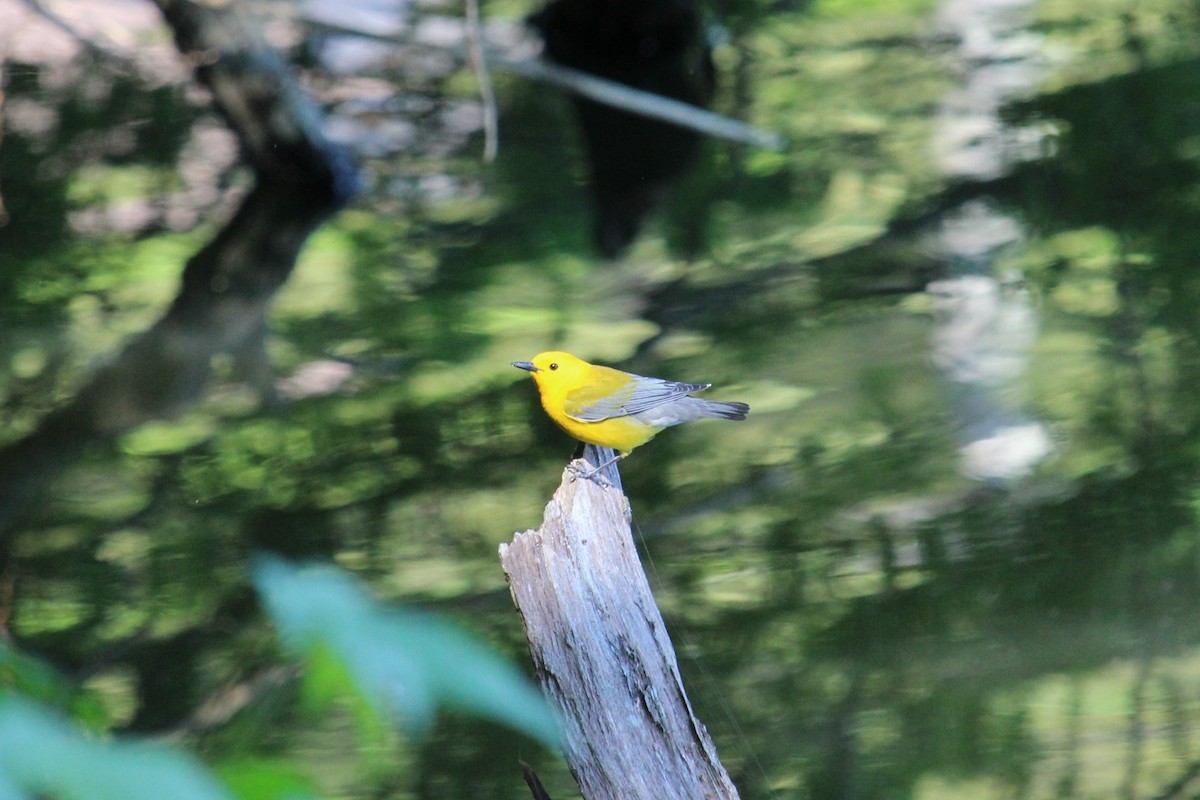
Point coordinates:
[(302, 179)]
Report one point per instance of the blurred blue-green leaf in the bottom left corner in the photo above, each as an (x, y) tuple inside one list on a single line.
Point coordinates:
[(41, 755)]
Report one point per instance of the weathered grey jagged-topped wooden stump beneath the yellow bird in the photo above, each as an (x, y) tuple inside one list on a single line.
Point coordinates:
[(603, 653)]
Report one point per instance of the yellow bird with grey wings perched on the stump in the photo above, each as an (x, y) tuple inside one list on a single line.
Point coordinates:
[(617, 410)]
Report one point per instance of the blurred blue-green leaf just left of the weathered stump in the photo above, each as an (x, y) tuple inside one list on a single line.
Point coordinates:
[(405, 663)]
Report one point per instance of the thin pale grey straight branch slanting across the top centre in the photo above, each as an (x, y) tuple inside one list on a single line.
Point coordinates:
[(603, 91)]
